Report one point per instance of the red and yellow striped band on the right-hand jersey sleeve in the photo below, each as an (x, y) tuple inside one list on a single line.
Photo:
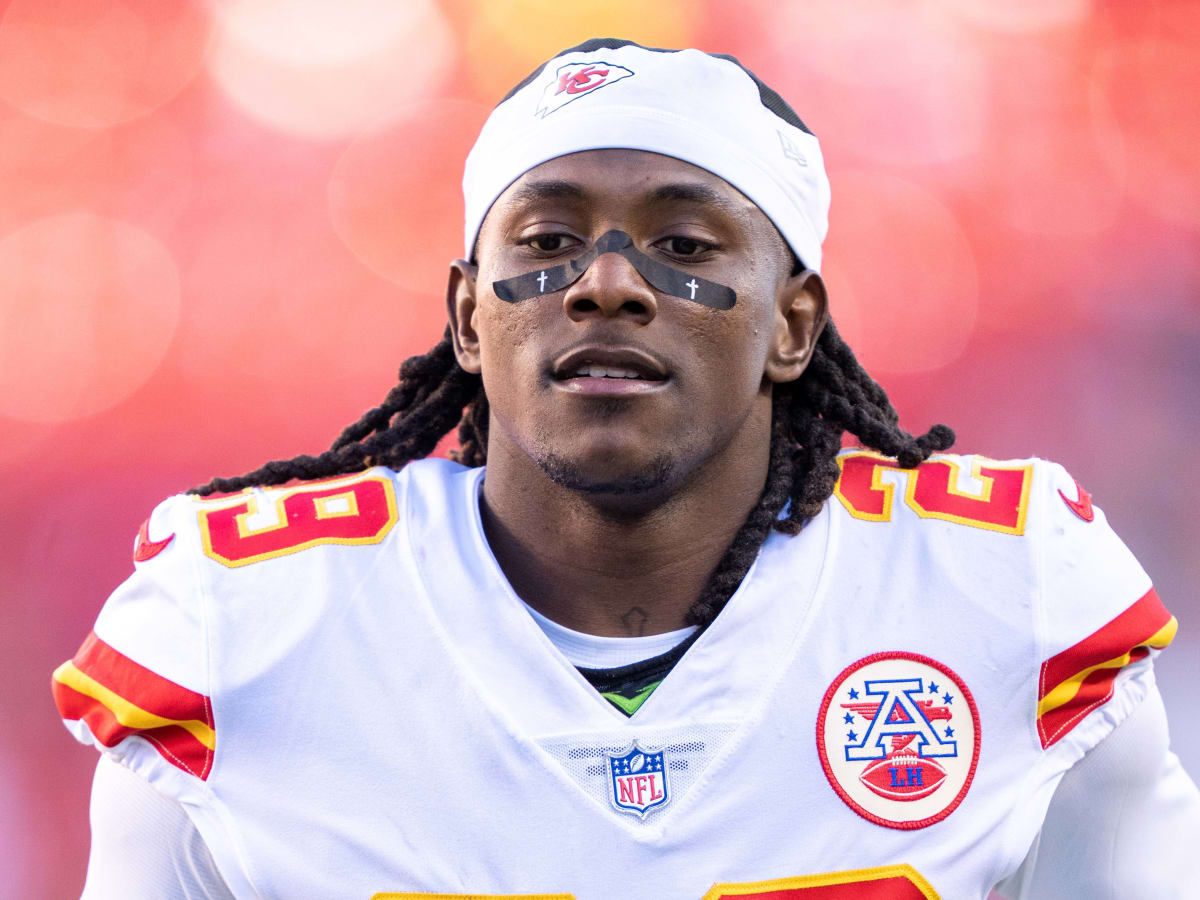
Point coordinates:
[(1079, 680)]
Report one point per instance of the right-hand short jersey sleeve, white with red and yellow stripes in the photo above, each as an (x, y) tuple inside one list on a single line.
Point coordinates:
[(1100, 620)]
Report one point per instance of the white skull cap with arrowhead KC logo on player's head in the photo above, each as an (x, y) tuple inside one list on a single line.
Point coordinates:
[(705, 110)]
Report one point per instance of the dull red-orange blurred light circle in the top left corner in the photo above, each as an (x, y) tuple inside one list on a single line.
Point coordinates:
[(92, 65)]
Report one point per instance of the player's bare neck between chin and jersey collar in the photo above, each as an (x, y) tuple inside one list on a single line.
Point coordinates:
[(604, 571)]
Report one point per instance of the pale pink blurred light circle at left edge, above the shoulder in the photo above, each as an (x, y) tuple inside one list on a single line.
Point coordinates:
[(88, 308)]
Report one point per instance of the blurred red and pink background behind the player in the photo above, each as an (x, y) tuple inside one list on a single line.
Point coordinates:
[(225, 225)]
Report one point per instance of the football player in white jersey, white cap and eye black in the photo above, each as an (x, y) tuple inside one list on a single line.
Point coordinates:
[(673, 643)]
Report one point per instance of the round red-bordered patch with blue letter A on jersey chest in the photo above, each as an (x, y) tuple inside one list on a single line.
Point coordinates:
[(899, 740)]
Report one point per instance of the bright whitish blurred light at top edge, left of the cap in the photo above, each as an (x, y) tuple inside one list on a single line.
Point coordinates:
[(323, 70)]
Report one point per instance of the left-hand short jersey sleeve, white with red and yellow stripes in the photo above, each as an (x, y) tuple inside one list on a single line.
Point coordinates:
[(137, 689)]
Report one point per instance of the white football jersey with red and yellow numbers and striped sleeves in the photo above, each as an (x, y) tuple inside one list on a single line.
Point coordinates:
[(340, 687)]
